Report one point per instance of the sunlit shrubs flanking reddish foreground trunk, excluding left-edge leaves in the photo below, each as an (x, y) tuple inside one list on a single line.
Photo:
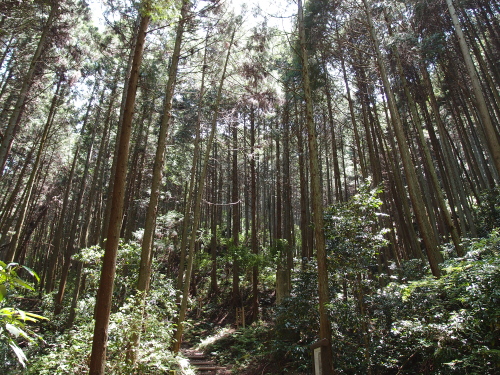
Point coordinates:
[(68, 352)]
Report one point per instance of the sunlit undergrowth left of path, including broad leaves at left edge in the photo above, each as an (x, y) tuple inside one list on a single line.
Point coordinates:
[(64, 349)]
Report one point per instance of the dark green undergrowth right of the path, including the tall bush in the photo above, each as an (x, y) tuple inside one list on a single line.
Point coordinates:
[(413, 324)]
